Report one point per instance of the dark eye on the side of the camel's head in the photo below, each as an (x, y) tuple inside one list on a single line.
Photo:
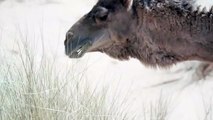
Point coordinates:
[(101, 14)]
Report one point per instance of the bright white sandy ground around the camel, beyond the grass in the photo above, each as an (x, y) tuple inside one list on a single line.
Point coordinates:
[(46, 24)]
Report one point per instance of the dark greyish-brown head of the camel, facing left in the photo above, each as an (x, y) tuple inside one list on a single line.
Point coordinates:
[(108, 24)]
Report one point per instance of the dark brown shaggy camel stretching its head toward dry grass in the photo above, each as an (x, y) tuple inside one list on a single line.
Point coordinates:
[(156, 32)]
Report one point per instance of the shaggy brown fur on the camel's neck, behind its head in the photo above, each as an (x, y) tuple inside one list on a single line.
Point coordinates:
[(168, 33)]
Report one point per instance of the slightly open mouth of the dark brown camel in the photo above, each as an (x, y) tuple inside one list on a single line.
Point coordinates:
[(79, 50)]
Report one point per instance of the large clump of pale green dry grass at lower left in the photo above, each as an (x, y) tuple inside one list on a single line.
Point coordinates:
[(32, 89)]
